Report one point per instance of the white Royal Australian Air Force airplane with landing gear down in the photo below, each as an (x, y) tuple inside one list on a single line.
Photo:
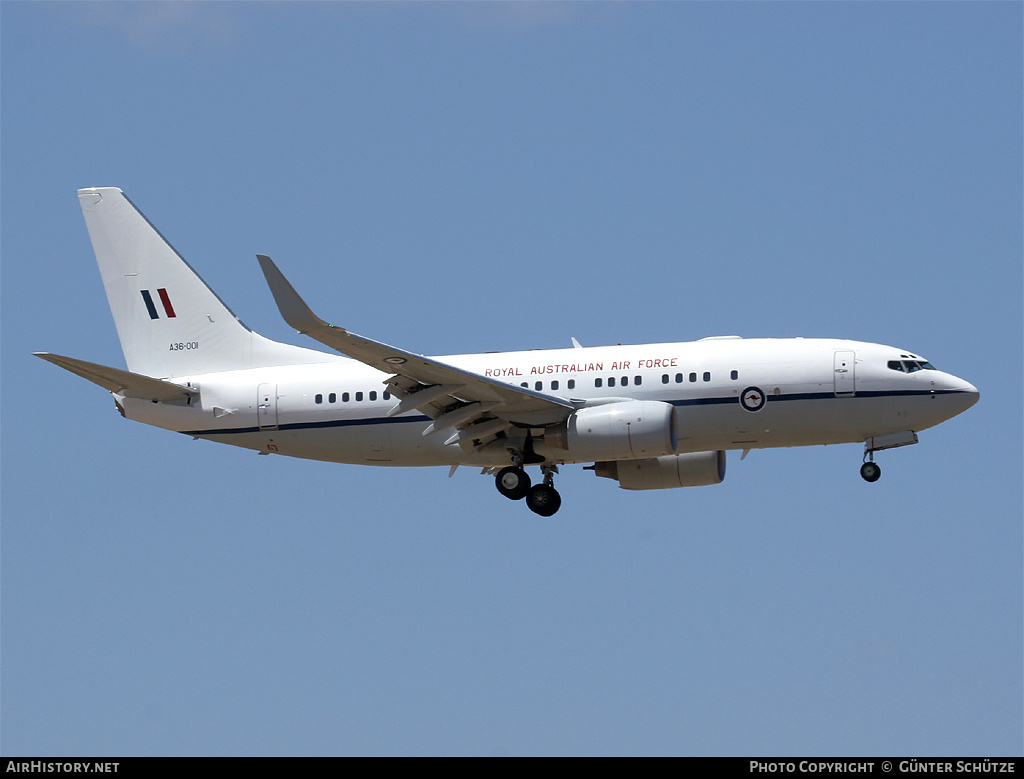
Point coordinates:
[(651, 417)]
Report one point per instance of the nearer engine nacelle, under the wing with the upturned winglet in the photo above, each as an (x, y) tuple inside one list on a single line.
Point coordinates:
[(625, 430)]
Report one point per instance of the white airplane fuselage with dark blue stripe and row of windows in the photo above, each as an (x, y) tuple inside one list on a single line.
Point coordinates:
[(731, 394)]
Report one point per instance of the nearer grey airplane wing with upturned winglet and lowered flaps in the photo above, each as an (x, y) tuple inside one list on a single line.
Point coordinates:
[(450, 396)]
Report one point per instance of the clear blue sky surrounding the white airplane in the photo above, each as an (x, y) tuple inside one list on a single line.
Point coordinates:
[(471, 178)]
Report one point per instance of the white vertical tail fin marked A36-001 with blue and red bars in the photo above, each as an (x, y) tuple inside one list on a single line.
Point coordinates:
[(169, 322)]
